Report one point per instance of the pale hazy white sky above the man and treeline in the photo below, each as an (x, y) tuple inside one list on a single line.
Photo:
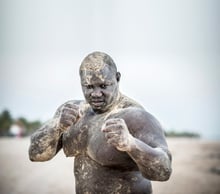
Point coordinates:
[(168, 53)]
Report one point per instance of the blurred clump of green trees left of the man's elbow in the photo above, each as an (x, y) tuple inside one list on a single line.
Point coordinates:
[(6, 121)]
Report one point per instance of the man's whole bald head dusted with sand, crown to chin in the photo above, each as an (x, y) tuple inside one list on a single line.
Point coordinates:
[(100, 81)]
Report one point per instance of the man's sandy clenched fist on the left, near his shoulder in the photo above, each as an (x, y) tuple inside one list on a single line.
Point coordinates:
[(68, 115)]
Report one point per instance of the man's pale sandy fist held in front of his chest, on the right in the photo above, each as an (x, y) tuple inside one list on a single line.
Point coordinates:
[(117, 134)]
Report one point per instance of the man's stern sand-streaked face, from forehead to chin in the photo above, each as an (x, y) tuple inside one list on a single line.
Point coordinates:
[(100, 88)]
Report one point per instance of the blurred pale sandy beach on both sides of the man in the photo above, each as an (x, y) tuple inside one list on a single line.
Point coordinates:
[(196, 166)]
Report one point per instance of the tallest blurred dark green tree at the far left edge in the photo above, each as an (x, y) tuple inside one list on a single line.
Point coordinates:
[(5, 122)]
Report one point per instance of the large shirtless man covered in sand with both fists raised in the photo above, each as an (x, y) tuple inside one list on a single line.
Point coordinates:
[(118, 147)]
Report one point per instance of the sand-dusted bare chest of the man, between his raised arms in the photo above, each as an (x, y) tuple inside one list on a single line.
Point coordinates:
[(87, 138)]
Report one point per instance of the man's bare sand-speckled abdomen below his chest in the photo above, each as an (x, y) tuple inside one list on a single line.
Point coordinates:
[(92, 178)]
